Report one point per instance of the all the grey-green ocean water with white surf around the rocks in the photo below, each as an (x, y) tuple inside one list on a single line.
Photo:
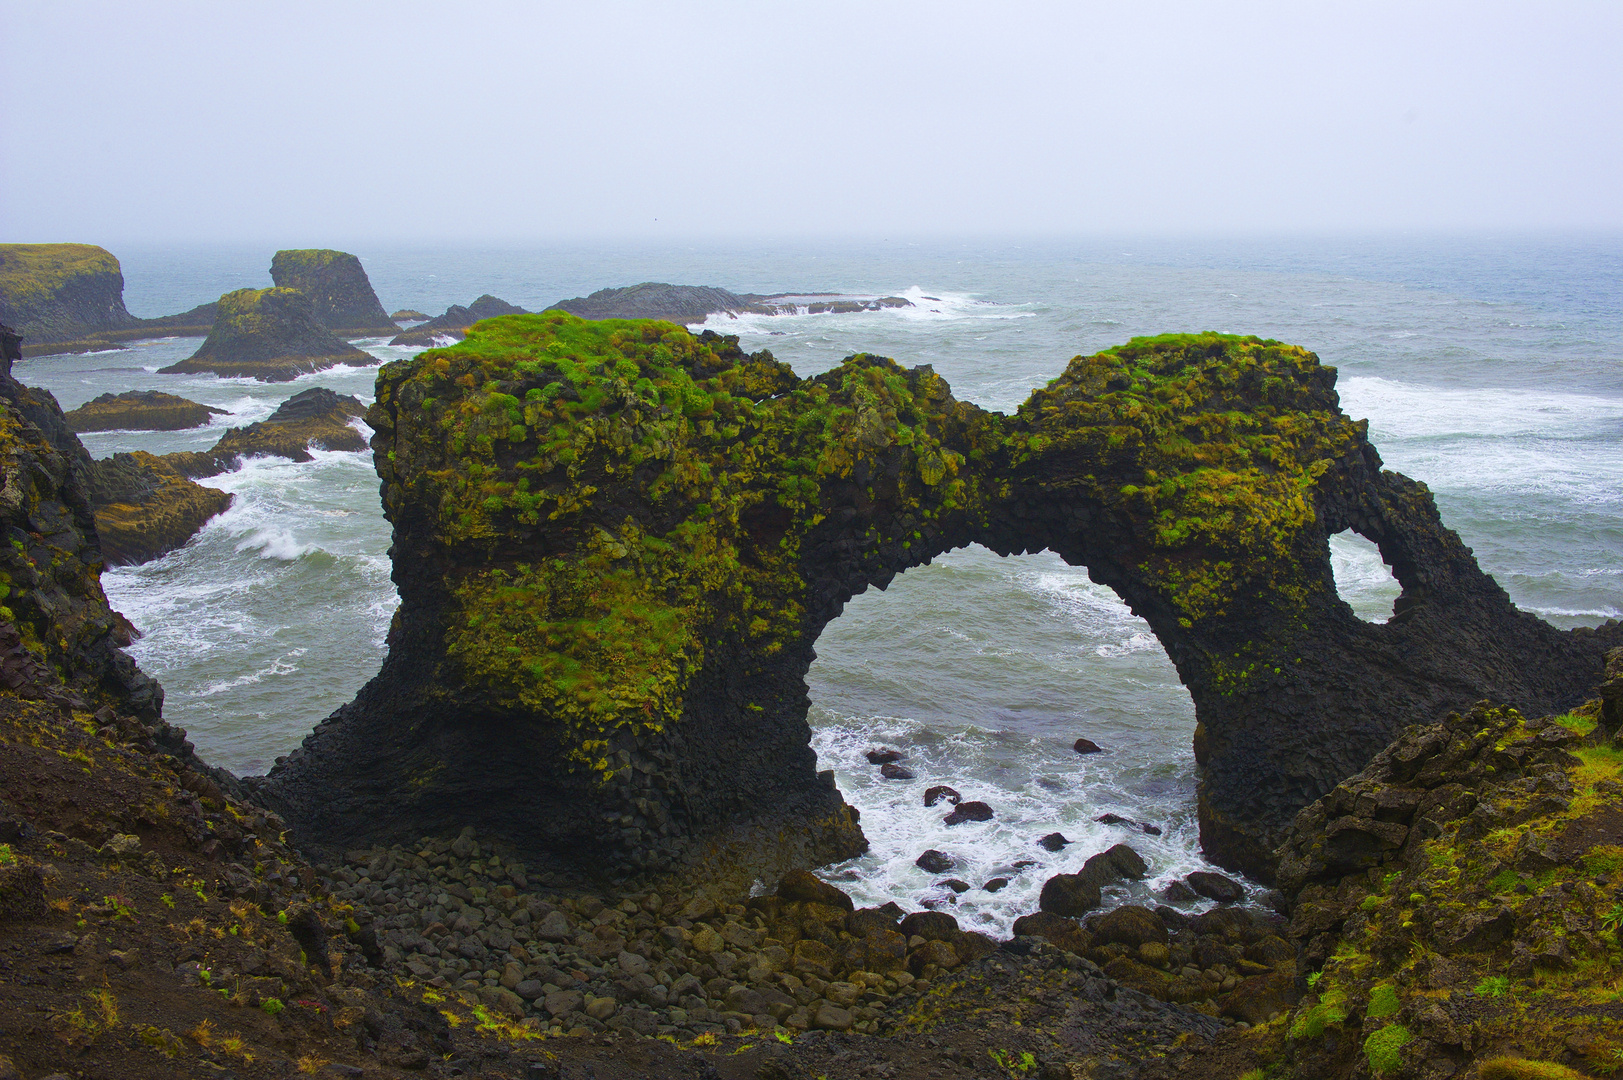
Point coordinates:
[(1492, 369)]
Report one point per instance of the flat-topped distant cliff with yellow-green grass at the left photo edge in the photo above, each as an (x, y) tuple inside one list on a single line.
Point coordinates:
[(62, 293)]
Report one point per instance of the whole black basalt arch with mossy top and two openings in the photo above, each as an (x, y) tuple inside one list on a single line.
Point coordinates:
[(616, 545)]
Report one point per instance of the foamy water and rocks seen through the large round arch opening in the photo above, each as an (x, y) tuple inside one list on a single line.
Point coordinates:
[(984, 672)]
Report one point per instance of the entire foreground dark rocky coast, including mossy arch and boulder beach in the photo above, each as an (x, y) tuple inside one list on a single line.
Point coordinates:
[(528, 847)]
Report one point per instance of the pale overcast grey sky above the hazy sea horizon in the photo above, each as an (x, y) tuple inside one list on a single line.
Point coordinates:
[(338, 123)]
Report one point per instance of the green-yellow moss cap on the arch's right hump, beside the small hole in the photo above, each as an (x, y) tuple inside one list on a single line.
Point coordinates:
[(1225, 439)]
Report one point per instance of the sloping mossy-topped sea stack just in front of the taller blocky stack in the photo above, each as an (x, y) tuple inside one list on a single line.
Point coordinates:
[(272, 335)]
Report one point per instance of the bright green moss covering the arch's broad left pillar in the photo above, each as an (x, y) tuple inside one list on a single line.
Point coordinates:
[(674, 478)]
